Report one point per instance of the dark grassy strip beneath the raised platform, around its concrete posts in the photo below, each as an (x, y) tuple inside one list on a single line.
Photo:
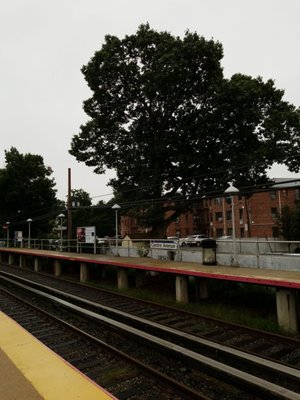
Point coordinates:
[(250, 305)]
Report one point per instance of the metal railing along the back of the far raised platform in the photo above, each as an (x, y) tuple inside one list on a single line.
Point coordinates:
[(251, 252)]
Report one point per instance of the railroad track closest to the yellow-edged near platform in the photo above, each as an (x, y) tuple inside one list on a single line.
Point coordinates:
[(120, 374)]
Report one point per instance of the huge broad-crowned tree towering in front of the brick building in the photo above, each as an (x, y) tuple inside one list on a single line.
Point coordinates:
[(165, 118)]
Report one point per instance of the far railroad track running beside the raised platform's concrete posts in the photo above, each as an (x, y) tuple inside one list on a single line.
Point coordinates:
[(275, 347)]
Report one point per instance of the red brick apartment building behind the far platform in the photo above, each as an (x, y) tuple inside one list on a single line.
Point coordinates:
[(254, 216)]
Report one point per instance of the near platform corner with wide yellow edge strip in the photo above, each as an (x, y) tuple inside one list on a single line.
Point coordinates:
[(30, 370)]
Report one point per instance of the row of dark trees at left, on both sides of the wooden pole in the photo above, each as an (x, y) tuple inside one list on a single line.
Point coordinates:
[(28, 192)]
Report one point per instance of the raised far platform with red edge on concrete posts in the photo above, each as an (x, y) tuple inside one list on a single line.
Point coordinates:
[(286, 282)]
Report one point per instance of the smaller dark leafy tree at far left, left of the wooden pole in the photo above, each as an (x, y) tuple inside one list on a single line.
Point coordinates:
[(27, 191)]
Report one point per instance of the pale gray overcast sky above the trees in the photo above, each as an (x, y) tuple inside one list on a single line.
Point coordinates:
[(43, 45)]
